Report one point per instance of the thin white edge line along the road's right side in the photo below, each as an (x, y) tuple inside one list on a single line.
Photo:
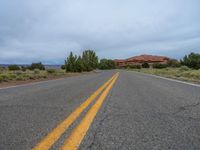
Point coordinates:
[(169, 79)]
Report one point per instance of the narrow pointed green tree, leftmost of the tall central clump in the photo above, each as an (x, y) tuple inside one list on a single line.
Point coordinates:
[(70, 63)]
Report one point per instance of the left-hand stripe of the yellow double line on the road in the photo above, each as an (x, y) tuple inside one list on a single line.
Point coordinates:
[(55, 134)]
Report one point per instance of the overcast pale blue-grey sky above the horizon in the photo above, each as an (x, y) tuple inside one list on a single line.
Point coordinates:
[(47, 30)]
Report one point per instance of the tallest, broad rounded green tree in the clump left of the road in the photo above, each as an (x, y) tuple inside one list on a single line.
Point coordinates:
[(90, 60)]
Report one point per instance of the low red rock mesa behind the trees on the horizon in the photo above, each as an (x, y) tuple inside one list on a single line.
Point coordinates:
[(139, 60)]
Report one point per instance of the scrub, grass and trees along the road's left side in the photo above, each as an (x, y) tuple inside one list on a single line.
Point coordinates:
[(74, 65)]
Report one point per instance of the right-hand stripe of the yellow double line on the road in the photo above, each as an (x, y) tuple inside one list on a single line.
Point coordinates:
[(77, 135)]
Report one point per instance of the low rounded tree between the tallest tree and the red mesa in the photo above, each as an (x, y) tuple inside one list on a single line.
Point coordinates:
[(107, 64)]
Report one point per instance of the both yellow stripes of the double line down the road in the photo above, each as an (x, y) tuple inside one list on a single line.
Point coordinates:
[(77, 135)]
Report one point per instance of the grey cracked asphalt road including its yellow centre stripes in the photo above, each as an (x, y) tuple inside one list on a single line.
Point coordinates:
[(133, 111)]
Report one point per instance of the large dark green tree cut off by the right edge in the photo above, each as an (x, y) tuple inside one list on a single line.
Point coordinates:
[(192, 60)]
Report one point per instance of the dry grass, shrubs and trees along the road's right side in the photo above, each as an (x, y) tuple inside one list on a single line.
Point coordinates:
[(187, 69)]
